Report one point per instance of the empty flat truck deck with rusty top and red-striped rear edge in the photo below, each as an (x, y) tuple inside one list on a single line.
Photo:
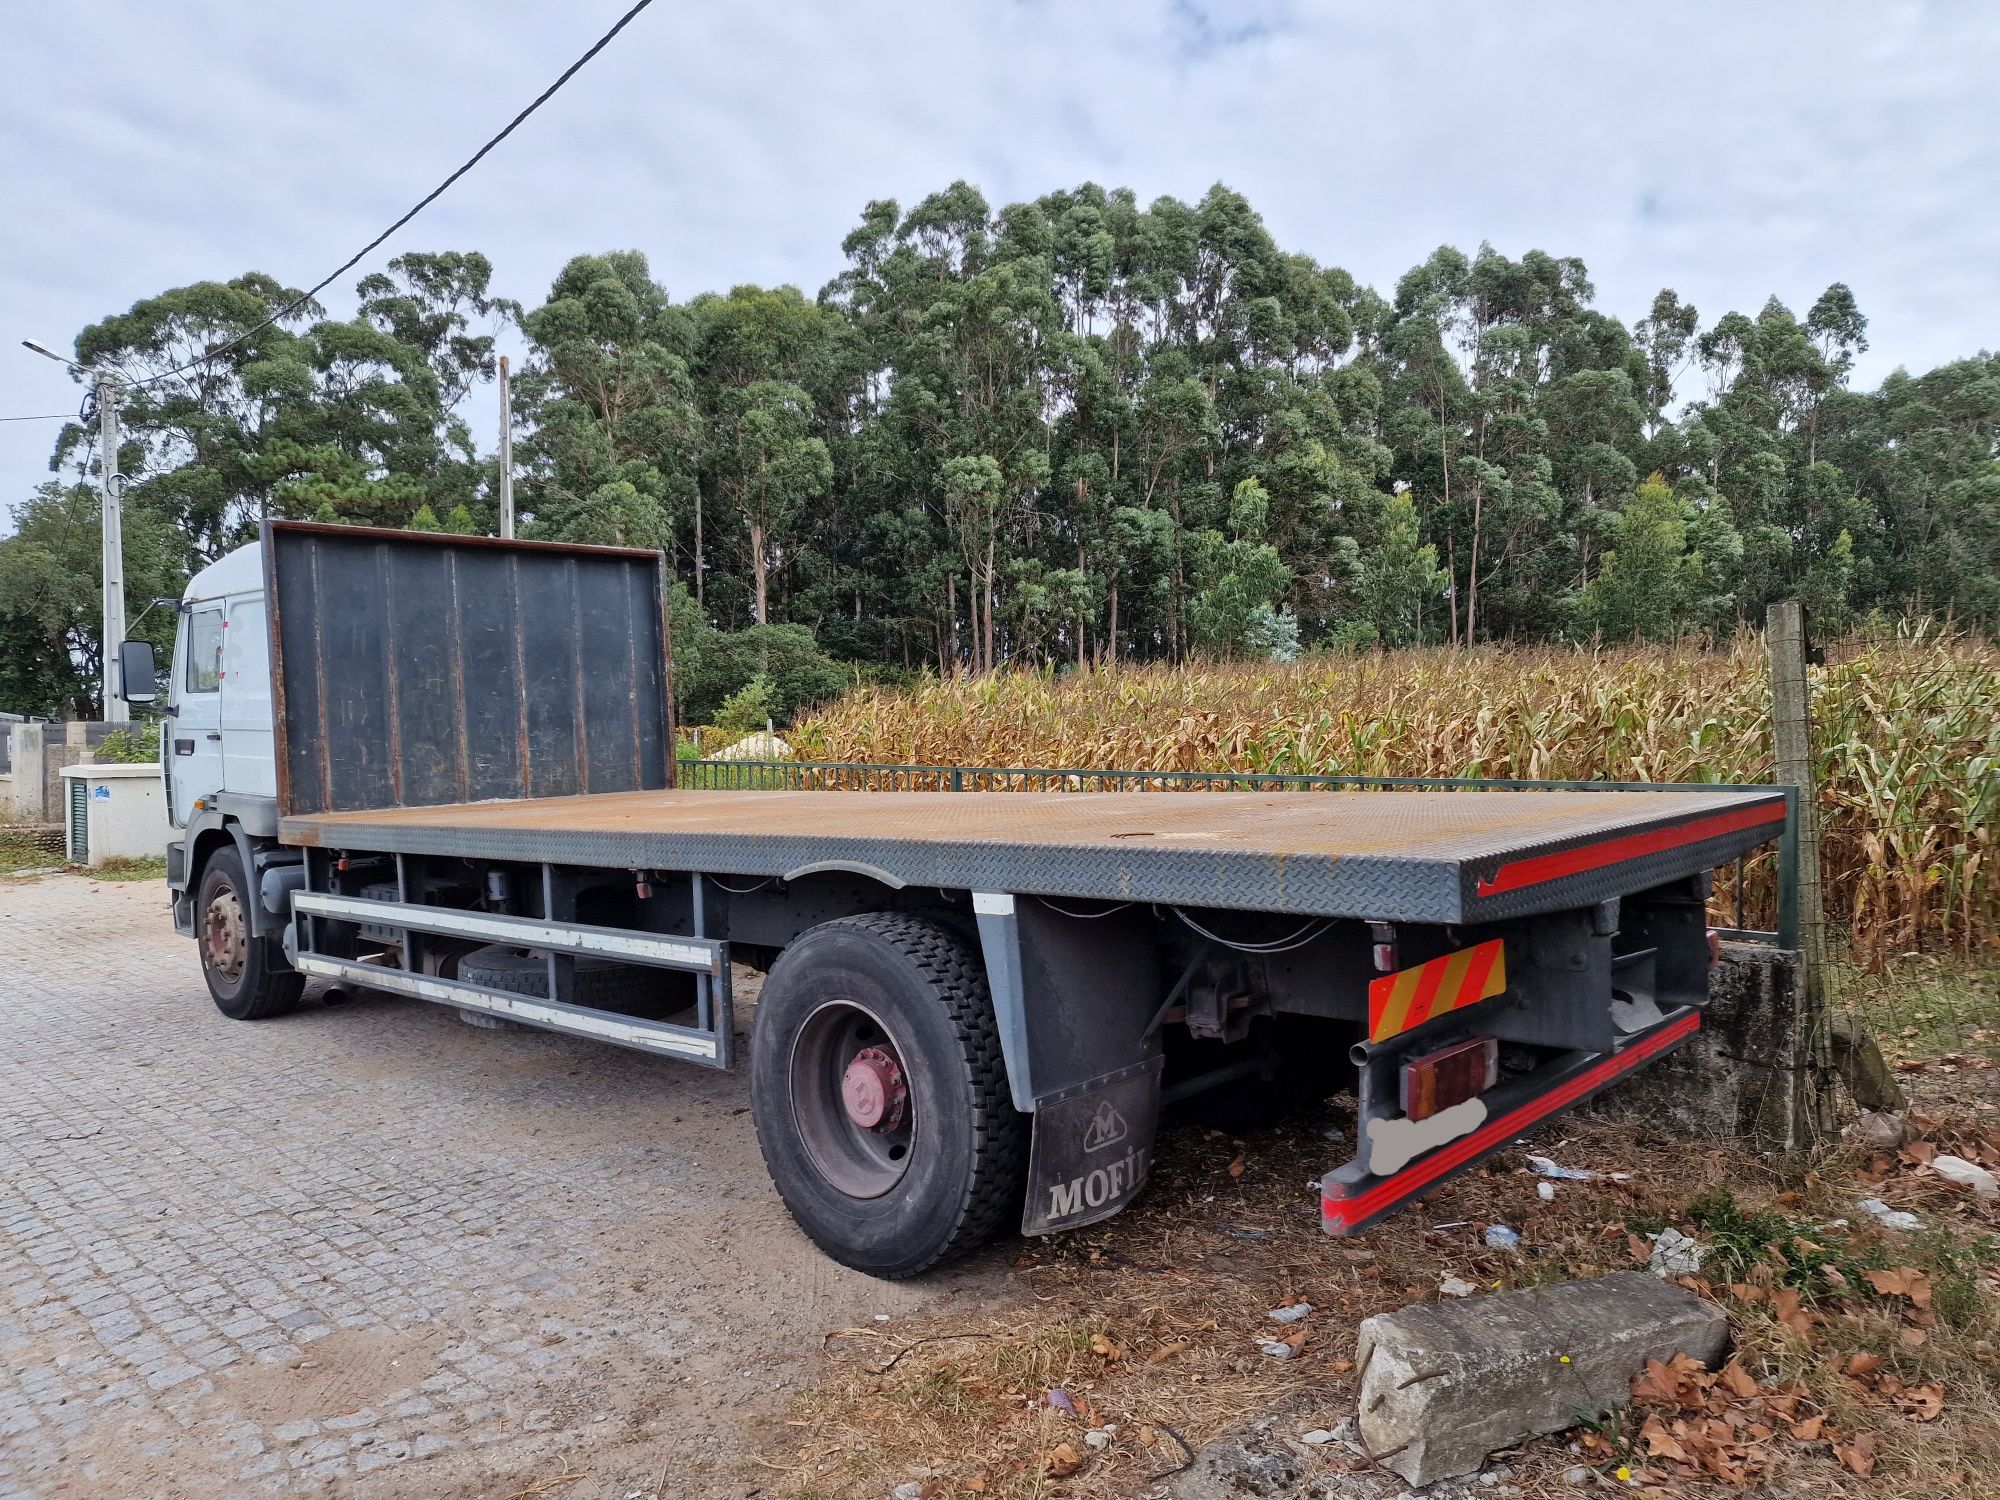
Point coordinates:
[(1393, 857)]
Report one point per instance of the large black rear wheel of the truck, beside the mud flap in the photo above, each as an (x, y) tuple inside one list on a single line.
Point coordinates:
[(881, 1099)]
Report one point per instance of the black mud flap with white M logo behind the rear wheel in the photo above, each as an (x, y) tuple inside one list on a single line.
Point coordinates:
[(1093, 1149)]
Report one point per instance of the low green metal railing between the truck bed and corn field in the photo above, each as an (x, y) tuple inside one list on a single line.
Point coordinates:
[(867, 777)]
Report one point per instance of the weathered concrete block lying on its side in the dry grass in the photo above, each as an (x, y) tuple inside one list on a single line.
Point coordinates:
[(1447, 1383)]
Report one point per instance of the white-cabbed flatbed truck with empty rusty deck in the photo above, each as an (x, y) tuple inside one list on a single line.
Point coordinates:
[(443, 767)]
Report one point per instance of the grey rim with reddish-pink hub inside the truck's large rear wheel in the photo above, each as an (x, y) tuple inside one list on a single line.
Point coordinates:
[(851, 1099)]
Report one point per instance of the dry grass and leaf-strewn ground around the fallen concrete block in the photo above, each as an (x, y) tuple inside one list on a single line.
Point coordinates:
[(1149, 1325)]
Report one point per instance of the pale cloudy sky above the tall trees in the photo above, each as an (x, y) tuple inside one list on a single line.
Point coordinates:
[(1731, 151)]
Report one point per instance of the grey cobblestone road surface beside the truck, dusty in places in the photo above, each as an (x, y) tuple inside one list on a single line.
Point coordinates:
[(371, 1251)]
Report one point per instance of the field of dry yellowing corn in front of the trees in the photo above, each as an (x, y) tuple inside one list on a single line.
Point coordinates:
[(1907, 729)]
